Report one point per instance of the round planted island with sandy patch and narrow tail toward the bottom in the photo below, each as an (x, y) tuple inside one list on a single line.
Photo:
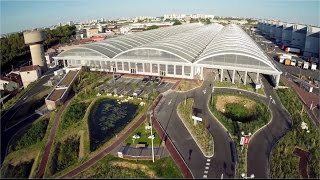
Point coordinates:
[(239, 114)]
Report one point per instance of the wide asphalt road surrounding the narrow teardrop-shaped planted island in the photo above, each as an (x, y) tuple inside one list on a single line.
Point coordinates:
[(223, 161)]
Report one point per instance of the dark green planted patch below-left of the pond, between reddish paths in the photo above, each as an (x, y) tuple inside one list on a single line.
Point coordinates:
[(65, 154)]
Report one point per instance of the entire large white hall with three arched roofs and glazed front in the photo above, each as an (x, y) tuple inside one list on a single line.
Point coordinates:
[(184, 51)]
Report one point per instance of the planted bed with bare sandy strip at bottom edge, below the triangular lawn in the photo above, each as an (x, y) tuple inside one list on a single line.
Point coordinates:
[(113, 167)]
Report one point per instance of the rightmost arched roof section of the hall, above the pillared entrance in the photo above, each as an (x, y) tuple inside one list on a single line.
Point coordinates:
[(232, 41)]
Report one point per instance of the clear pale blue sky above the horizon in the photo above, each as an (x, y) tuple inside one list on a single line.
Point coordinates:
[(27, 14)]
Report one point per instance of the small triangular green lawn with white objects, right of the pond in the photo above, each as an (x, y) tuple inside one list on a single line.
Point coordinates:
[(144, 134)]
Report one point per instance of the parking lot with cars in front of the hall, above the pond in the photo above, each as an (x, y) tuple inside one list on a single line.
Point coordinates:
[(135, 86)]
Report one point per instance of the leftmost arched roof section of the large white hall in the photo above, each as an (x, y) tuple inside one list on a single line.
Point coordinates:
[(111, 47)]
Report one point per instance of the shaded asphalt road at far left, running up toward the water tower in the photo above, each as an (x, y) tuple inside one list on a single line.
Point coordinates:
[(6, 135)]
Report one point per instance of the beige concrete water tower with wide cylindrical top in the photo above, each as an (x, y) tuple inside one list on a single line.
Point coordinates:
[(35, 39)]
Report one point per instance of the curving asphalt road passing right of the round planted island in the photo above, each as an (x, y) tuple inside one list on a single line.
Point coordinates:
[(263, 141)]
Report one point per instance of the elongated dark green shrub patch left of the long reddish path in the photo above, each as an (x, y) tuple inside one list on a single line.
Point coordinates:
[(33, 135)]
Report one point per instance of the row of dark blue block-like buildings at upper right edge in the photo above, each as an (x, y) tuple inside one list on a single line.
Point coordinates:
[(303, 37)]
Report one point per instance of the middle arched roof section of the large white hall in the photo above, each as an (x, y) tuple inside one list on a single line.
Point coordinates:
[(187, 45)]
